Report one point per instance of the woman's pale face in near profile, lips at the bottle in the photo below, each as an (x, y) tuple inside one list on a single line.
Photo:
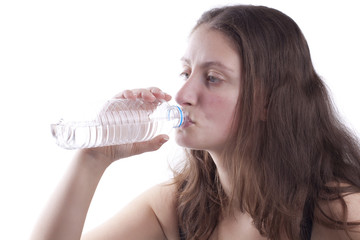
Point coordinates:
[(211, 72)]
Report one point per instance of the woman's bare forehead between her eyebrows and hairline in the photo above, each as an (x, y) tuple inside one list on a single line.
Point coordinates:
[(207, 44)]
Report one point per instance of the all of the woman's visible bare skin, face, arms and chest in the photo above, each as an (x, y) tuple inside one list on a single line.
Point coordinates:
[(208, 95)]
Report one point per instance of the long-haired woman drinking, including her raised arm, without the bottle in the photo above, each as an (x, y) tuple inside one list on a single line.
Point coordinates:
[(267, 156)]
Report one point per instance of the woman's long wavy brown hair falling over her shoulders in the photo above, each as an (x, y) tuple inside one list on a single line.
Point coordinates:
[(288, 151)]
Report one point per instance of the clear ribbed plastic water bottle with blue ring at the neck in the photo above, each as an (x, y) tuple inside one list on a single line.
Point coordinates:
[(120, 121)]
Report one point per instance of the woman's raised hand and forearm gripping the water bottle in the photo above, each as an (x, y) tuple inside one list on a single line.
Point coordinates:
[(66, 213)]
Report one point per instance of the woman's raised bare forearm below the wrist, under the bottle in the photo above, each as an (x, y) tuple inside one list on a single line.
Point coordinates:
[(65, 214)]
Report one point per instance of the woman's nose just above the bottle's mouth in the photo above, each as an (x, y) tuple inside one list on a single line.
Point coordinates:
[(188, 94)]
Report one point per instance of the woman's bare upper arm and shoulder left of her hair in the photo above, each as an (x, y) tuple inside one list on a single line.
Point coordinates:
[(152, 215)]
